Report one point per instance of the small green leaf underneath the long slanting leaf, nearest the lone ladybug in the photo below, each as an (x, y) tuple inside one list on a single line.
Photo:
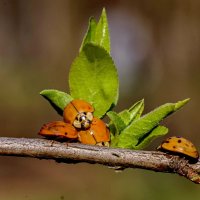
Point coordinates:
[(158, 131)]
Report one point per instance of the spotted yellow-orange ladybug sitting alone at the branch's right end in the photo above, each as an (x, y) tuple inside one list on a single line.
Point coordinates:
[(181, 146)]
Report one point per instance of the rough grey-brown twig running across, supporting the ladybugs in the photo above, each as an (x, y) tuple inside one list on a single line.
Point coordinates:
[(113, 157)]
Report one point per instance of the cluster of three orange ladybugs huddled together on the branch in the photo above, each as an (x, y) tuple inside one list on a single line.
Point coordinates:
[(79, 124)]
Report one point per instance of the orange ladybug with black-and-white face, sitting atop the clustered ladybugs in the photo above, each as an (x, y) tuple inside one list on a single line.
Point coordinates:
[(79, 113)]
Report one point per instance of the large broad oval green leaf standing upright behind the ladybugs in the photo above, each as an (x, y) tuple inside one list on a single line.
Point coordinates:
[(93, 78)]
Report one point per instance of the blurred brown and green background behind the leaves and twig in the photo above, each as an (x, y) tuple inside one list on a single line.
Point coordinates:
[(156, 47)]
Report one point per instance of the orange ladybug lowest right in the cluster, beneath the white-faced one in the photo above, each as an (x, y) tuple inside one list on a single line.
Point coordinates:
[(97, 134)]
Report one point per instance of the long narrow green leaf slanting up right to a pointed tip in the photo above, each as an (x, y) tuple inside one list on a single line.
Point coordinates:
[(131, 135)]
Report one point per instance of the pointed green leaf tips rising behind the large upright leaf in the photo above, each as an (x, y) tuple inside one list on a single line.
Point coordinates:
[(98, 33)]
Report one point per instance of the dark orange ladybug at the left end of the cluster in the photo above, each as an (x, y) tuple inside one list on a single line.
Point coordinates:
[(59, 130)]
